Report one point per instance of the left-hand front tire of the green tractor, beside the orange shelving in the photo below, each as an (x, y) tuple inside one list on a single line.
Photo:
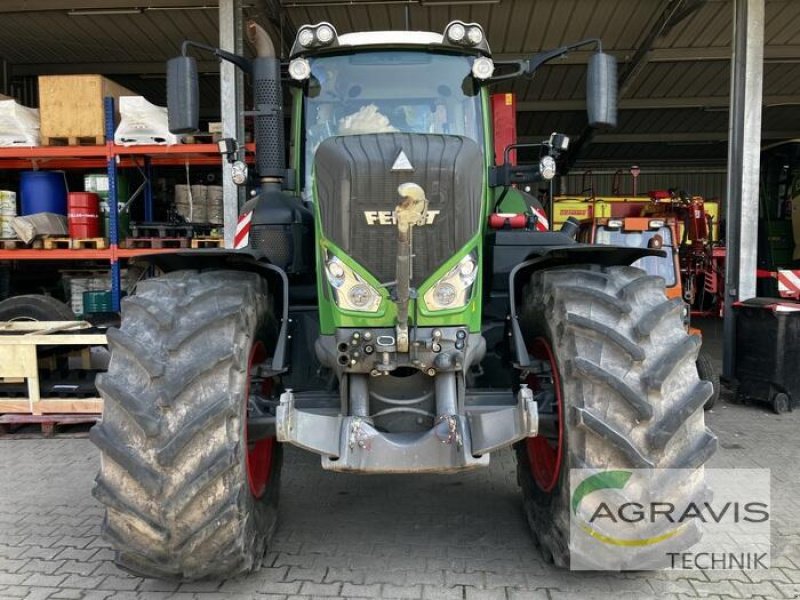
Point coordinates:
[(186, 496)]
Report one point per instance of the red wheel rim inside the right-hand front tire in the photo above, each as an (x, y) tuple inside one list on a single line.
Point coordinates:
[(545, 451)]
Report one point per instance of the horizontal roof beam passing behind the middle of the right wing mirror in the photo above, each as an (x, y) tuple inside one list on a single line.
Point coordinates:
[(720, 102)]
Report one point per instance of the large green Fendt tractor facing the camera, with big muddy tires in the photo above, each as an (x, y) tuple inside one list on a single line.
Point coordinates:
[(373, 315)]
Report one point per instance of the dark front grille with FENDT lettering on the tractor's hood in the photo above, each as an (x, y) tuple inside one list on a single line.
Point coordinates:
[(355, 179)]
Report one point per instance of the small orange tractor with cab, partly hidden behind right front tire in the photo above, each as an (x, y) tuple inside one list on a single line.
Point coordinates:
[(657, 233)]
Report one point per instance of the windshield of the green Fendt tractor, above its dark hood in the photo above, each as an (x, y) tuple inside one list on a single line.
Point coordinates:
[(389, 91)]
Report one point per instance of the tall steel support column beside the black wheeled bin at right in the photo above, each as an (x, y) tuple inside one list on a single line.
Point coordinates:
[(744, 149)]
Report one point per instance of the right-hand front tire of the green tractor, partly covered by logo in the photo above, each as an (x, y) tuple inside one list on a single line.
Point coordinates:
[(621, 390)]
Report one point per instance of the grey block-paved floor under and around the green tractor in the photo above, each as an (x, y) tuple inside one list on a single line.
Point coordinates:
[(459, 537)]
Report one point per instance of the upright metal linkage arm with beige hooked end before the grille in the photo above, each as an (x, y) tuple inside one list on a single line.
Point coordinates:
[(411, 211)]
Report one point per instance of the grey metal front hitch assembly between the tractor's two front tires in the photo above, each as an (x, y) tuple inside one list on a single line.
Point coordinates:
[(457, 428)]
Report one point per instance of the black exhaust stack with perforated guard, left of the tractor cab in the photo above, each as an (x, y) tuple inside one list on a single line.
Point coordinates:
[(268, 105)]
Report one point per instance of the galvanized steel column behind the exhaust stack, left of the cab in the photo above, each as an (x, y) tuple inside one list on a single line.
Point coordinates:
[(232, 107)]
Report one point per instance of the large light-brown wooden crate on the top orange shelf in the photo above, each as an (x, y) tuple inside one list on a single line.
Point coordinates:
[(71, 107)]
